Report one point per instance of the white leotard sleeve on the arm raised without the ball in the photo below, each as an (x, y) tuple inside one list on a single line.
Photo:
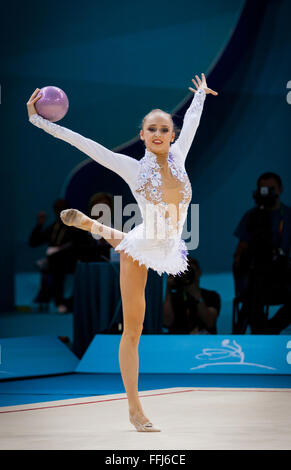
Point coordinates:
[(190, 124)]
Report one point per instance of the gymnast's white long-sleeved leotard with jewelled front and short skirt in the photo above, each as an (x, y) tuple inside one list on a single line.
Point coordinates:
[(156, 242)]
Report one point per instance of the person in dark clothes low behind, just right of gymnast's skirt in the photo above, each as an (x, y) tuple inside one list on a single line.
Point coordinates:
[(189, 308)]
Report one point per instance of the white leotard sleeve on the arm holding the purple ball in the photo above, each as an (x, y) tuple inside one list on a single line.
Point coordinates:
[(125, 166)]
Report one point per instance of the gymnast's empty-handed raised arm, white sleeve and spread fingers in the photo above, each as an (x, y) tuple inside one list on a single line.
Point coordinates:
[(192, 116)]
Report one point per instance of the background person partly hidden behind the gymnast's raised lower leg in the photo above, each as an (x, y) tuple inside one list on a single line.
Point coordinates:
[(89, 248)]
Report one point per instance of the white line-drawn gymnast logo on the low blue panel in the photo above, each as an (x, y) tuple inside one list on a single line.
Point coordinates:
[(216, 356)]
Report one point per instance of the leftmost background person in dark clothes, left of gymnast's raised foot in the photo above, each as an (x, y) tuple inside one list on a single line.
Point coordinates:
[(60, 257)]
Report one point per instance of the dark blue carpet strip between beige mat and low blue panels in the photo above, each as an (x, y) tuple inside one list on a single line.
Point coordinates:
[(20, 392)]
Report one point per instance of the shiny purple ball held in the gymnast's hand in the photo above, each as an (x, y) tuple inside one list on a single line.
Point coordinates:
[(53, 104)]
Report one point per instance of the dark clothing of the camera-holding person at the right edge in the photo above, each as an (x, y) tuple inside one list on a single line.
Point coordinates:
[(269, 279)]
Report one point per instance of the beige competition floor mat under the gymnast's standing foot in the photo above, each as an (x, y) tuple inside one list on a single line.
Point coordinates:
[(189, 418)]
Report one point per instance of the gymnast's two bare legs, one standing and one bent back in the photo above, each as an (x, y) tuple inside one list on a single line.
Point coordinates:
[(133, 278)]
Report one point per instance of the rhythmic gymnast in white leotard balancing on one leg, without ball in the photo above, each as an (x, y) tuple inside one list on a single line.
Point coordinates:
[(158, 181)]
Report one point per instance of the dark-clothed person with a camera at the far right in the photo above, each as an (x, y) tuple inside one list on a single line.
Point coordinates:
[(261, 265)]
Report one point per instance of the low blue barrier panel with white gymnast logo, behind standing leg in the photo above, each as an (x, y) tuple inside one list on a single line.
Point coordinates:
[(202, 354)]
